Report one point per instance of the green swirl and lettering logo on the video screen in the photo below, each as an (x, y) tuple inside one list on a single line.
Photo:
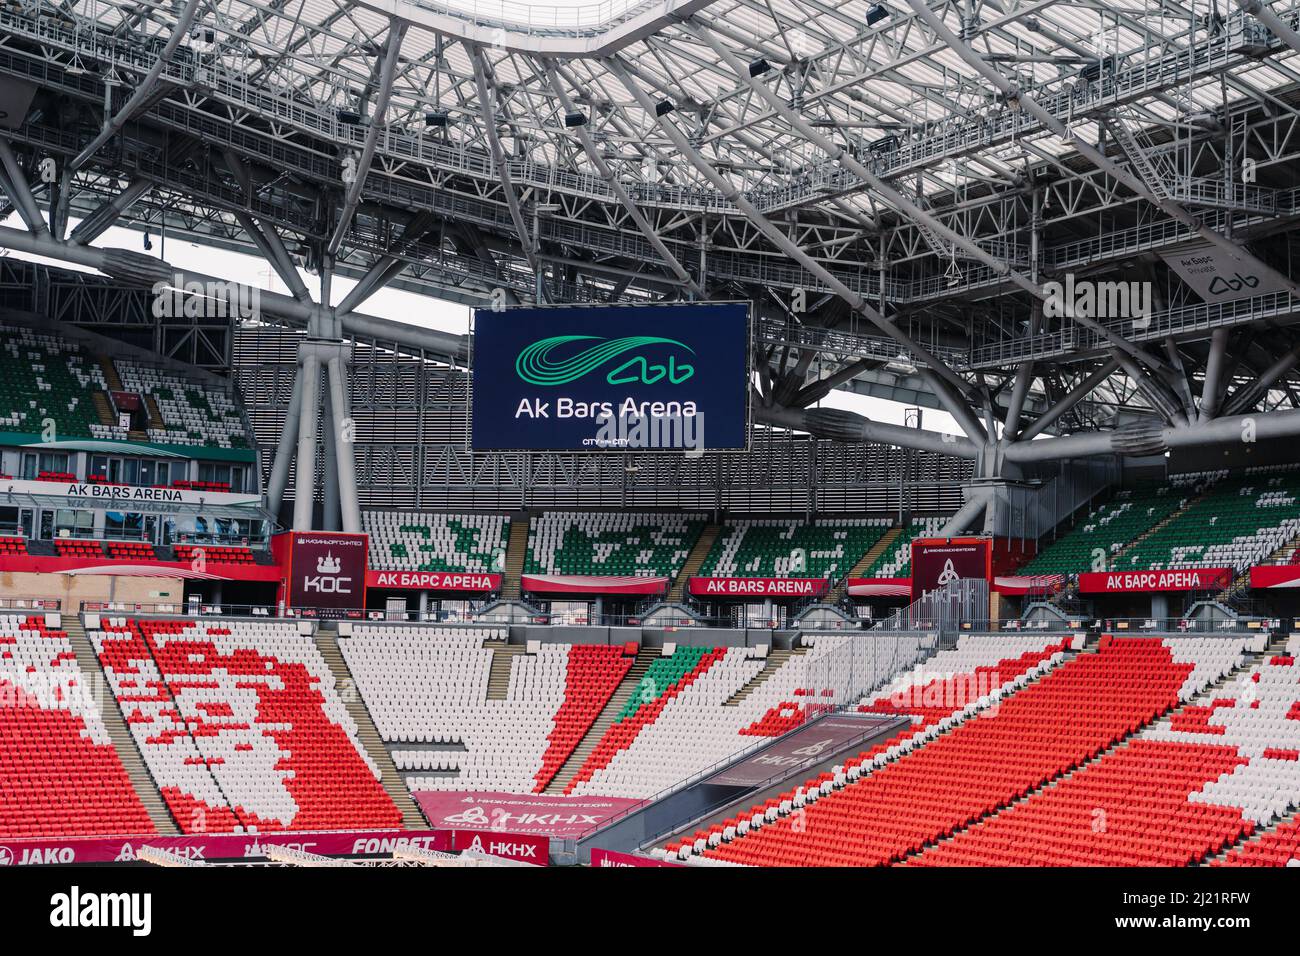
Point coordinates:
[(536, 366)]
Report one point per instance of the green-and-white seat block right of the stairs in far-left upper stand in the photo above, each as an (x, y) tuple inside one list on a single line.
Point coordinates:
[(193, 414)]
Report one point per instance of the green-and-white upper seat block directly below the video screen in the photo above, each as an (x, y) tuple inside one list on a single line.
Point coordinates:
[(610, 543)]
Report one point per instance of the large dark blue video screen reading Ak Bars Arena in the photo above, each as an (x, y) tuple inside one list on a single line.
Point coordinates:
[(612, 378)]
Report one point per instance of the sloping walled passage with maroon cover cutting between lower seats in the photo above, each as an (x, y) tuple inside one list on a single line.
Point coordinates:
[(744, 778)]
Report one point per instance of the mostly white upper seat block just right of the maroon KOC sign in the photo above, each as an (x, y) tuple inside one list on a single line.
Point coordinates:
[(421, 542)]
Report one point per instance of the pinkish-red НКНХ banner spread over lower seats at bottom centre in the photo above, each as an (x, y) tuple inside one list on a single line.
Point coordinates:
[(549, 815)]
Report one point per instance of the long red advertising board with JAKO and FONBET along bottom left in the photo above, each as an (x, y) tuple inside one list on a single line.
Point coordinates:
[(109, 850)]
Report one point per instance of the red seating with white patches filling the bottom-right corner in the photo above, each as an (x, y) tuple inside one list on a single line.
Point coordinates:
[(1176, 795)]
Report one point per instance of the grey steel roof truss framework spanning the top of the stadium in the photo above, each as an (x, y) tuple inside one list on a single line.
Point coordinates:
[(892, 184)]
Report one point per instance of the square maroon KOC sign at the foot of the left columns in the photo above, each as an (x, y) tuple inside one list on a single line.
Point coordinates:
[(324, 570)]
